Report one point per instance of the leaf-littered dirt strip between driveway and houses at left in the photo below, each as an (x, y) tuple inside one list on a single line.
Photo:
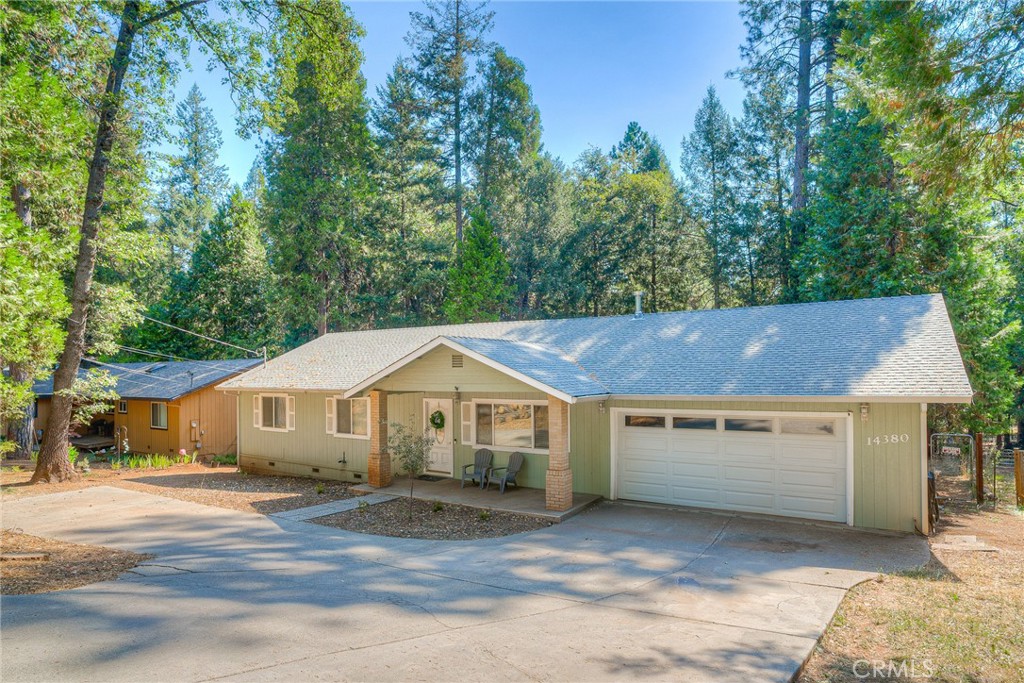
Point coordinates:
[(220, 487)]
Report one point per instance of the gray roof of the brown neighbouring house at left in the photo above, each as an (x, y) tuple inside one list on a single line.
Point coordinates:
[(161, 380)]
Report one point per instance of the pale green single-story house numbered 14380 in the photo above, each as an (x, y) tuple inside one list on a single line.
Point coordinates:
[(813, 411)]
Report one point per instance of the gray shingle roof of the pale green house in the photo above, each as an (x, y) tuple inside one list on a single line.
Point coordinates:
[(899, 348)]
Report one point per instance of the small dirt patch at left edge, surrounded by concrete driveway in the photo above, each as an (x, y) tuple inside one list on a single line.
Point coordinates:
[(67, 565)]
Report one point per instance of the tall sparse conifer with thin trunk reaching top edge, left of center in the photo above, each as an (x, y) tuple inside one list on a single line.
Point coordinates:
[(446, 39)]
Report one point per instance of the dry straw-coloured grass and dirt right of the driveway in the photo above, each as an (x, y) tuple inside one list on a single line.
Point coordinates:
[(960, 618)]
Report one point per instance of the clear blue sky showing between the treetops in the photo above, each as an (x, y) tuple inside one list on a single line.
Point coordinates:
[(594, 67)]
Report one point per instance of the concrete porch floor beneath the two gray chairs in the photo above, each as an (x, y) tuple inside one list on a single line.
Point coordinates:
[(522, 501)]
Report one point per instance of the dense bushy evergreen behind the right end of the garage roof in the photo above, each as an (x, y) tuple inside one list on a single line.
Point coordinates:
[(876, 234)]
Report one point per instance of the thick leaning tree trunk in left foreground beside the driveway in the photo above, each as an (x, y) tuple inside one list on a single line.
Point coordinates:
[(54, 463)]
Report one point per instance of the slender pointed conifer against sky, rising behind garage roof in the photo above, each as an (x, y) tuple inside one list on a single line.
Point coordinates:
[(710, 165)]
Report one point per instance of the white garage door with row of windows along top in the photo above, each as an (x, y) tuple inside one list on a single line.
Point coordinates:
[(783, 465)]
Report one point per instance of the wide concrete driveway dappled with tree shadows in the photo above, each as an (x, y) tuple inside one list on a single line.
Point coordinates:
[(618, 592)]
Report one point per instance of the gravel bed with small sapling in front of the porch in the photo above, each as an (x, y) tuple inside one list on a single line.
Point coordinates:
[(432, 521)]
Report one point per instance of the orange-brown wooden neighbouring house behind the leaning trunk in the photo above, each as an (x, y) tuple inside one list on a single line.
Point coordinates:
[(162, 408)]
